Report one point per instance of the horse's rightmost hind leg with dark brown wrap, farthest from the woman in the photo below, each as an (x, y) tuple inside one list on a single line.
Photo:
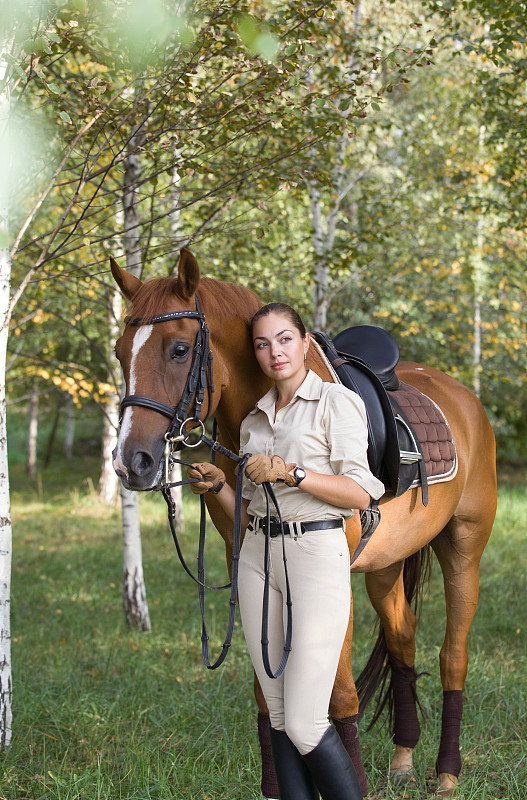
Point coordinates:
[(458, 549)]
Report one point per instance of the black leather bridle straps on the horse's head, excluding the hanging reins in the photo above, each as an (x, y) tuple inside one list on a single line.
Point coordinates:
[(200, 378)]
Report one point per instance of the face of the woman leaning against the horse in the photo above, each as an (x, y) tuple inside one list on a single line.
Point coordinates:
[(279, 347)]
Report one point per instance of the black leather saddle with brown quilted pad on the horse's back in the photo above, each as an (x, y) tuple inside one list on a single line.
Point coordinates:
[(364, 358)]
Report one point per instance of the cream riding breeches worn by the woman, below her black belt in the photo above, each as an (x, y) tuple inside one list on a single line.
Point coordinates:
[(318, 565)]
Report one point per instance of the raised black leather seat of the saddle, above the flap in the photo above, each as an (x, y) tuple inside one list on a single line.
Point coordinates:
[(376, 347)]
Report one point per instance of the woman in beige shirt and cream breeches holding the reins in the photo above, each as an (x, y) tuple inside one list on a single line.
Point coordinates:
[(308, 438)]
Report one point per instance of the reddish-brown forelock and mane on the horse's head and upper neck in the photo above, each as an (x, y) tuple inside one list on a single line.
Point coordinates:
[(217, 297)]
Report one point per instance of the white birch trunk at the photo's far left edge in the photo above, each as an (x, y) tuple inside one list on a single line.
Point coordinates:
[(6, 532)]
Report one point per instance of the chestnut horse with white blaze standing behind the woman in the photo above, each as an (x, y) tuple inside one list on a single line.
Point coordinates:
[(156, 360)]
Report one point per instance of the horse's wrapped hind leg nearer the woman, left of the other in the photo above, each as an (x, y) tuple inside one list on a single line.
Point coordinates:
[(387, 594)]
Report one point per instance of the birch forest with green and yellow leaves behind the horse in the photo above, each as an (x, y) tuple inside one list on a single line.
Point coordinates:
[(362, 161)]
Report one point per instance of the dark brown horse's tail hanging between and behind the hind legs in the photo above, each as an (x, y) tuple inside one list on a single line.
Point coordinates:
[(377, 672)]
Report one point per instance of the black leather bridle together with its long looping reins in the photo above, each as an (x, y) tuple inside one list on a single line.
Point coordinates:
[(199, 380)]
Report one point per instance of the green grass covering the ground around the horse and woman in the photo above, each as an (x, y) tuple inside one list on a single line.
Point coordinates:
[(104, 712)]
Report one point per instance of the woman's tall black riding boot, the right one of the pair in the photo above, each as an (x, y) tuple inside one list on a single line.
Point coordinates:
[(332, 769)]
